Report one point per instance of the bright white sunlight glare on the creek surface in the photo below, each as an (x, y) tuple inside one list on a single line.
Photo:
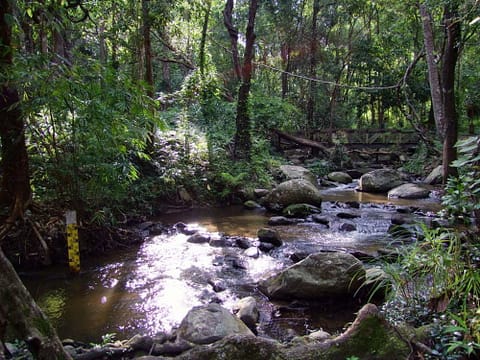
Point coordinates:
[(171, 276)]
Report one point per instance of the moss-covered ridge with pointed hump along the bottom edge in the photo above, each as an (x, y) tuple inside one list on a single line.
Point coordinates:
[(368, 337)]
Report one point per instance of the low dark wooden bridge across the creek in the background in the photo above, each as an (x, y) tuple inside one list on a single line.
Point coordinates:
[(374, 141)]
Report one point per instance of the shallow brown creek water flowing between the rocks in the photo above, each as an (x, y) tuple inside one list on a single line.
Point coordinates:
[(151, 288)]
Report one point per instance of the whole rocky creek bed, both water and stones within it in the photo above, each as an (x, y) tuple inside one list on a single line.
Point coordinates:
[(202, 257)]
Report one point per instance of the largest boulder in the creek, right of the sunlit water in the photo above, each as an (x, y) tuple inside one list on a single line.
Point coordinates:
[(318, 276)]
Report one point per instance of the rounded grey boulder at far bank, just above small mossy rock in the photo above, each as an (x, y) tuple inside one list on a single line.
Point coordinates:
[(296, 191)]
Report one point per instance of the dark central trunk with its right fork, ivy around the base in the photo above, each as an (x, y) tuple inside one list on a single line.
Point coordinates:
[(242, 135)]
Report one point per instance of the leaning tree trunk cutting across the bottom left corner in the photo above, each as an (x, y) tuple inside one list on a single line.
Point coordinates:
[(27, 320)]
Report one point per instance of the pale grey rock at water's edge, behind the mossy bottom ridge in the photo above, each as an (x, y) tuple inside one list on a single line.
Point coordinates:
[(210, 323)]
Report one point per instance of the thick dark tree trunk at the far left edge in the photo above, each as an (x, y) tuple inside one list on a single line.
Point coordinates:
[(15, 189)]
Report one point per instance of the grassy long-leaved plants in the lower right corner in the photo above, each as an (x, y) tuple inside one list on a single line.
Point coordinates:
[(436, 280)]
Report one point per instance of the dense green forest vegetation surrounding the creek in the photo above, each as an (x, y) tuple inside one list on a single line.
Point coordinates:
[(119, 109)]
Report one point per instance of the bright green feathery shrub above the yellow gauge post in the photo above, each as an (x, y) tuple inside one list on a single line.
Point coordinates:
[(88, 125)]
